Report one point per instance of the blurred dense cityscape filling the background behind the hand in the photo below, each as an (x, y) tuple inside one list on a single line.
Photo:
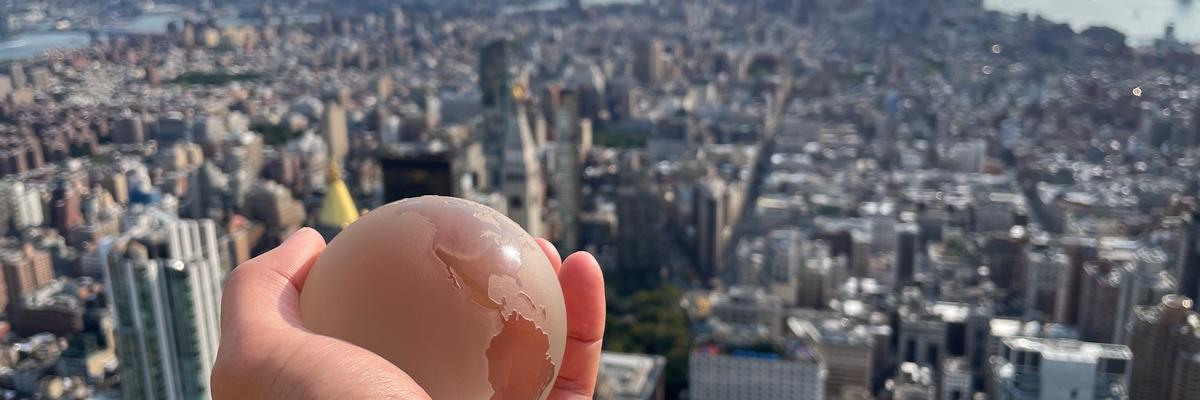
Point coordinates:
[(790, 199)]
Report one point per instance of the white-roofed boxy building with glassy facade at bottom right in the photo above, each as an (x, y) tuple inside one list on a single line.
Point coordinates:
[(1051, 369)]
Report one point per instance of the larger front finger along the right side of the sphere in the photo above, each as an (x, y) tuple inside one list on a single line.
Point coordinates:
[(584, 295)]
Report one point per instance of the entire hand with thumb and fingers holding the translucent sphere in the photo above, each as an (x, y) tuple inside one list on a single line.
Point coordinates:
[(267, 354)]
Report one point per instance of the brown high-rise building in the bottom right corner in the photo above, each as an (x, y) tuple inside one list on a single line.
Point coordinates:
[(1165, 351)]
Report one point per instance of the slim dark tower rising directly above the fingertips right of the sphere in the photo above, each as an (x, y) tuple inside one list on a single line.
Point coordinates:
[(567, 172)]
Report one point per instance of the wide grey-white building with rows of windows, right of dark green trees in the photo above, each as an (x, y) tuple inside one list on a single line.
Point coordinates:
[(753, 373)]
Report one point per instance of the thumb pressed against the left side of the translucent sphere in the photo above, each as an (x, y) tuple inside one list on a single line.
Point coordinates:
[(266, 290)]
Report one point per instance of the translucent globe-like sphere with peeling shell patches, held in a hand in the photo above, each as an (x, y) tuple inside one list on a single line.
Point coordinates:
[(453, 292)]
